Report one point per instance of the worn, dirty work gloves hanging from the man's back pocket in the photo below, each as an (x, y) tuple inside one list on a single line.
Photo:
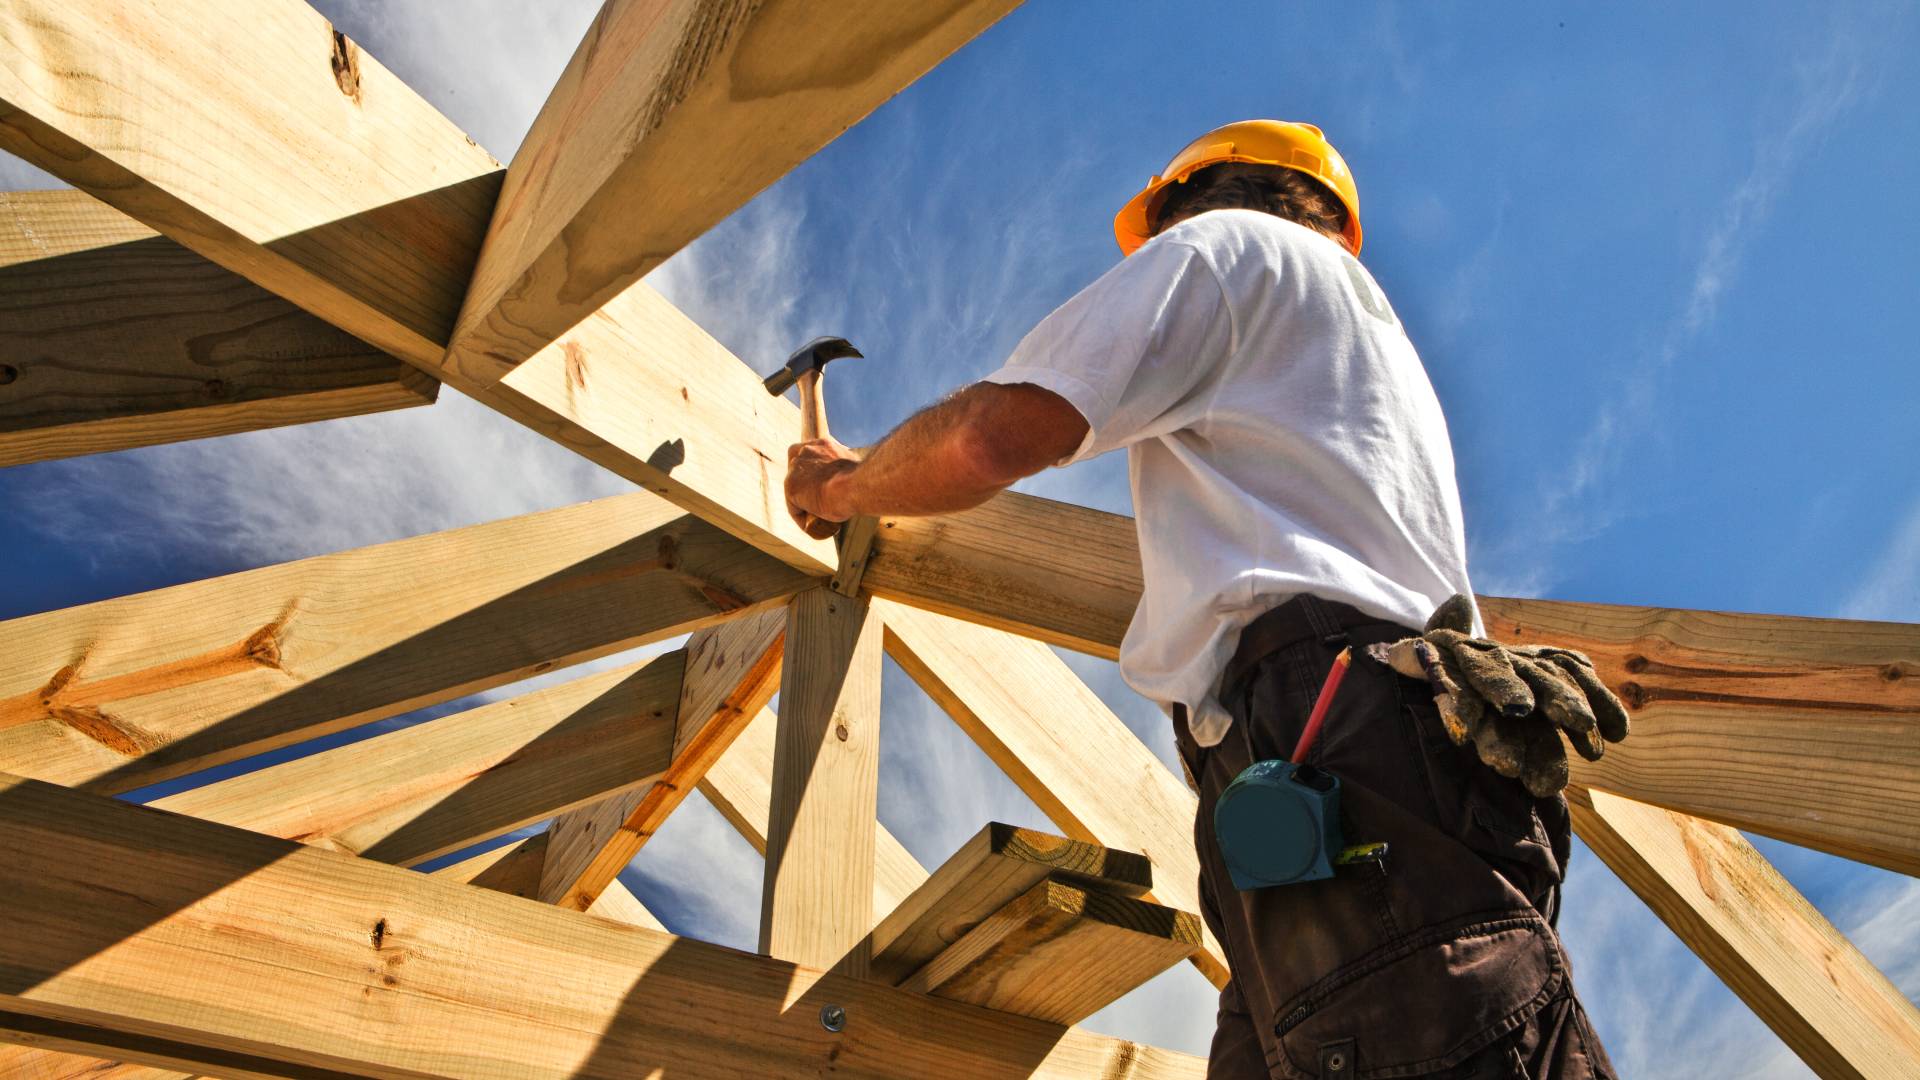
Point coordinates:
[(1510, 702)]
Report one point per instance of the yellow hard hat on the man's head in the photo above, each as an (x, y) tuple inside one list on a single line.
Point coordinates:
[(1259, 143)]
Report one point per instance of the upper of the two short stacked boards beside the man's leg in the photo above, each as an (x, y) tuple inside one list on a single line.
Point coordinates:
[(988, 873)]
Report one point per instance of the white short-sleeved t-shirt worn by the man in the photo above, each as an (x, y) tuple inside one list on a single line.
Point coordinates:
[(1282, 439)]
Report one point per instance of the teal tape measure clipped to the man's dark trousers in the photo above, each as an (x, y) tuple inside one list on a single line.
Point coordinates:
[(1280, 823)]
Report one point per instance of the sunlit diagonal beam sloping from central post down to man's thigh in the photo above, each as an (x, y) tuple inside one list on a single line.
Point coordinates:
[(1061, 745)]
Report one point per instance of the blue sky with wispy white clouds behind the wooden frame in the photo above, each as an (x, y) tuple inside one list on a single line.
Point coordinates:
[(1660, 262)]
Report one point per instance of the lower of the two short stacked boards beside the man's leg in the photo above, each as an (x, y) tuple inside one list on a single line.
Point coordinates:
[(1061, 952)]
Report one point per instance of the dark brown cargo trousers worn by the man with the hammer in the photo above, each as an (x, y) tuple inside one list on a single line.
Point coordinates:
[(1439, 960)]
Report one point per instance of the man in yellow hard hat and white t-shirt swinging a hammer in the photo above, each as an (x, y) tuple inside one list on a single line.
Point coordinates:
[(1295, 495)]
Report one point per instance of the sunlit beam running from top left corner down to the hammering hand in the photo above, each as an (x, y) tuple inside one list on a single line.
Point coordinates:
[(277, 149)]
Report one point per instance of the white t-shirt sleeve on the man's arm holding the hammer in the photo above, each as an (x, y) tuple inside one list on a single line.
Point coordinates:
[(1136, 353)]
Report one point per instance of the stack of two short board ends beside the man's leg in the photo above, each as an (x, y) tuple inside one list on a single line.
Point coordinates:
[(1036, 925)]
